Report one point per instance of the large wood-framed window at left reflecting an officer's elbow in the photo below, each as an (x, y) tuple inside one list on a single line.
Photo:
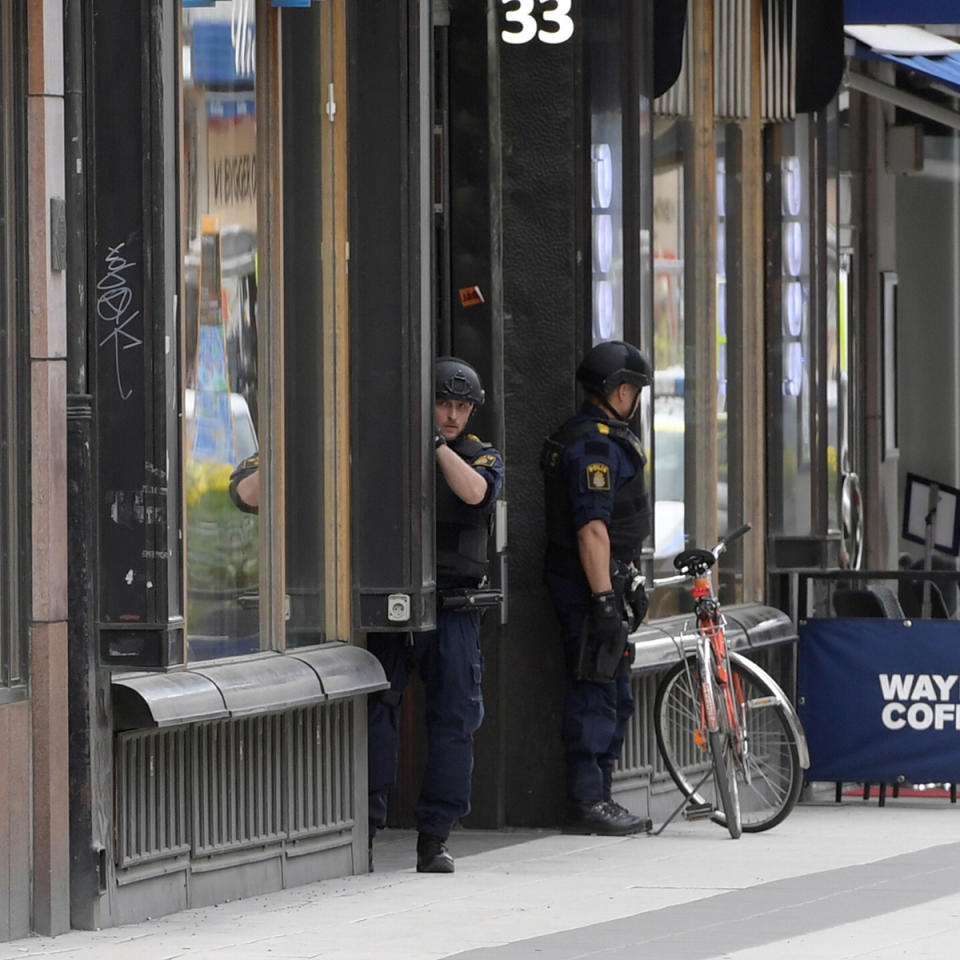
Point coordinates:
[(264, 327)]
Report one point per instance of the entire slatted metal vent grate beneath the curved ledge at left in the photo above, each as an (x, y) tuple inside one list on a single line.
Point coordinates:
[(231, 784)]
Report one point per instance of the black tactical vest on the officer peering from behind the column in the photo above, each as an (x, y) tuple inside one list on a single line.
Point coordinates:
[(462, 530)]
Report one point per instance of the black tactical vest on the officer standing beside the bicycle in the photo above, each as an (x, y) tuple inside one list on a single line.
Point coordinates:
[(630, 522)]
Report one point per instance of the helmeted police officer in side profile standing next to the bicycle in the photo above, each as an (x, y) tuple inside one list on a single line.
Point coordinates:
[(597, 515)]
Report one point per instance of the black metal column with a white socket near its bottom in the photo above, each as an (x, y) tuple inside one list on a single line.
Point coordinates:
[(391, 347)]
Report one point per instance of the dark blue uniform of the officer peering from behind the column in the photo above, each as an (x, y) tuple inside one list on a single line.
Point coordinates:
[(447, 658)]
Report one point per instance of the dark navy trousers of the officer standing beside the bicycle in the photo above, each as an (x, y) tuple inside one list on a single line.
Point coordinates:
[(595, 715)]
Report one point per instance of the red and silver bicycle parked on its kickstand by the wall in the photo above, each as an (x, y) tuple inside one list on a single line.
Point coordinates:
[(716, 702)]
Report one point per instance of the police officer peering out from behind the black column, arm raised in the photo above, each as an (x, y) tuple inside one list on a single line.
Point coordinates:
[(469, 477)]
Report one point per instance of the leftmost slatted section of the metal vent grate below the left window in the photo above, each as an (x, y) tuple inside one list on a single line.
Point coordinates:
[(151, 787)]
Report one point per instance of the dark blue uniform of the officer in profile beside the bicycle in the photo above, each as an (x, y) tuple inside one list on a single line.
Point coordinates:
[(598, 475)]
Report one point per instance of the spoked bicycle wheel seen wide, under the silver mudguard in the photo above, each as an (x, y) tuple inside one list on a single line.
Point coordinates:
[(769, 777)]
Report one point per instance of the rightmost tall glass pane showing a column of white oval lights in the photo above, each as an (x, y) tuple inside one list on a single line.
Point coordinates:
[(808, 343)]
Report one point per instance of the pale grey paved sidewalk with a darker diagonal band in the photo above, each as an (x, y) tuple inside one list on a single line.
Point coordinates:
[(832, 881)]
